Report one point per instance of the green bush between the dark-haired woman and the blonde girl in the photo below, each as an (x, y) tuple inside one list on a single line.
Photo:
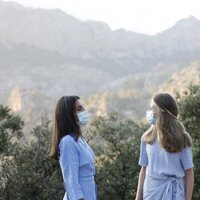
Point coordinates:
[(117, 156)]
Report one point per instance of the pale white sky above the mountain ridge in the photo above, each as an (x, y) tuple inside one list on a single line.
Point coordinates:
[(144, 16)]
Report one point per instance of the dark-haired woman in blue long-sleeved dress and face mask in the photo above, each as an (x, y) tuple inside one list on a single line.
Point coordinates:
[(75, 157)]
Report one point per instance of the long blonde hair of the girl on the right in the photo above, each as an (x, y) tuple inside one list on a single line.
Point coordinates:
[(169, 131)]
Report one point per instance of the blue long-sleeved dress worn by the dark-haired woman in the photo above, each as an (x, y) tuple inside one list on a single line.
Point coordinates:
[(77, 165)]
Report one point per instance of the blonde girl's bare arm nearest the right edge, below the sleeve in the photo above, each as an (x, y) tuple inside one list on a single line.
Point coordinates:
[(189, 178)]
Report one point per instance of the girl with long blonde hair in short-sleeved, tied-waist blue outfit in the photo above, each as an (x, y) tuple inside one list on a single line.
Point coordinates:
[(165, 154)]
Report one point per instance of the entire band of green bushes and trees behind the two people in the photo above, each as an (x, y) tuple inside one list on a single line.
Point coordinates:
[(26, 172)]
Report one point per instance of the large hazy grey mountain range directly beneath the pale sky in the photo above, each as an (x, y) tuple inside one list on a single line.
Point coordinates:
[(45, 54)]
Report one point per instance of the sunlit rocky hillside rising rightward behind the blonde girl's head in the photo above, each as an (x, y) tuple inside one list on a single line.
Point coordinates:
[(133, 96)]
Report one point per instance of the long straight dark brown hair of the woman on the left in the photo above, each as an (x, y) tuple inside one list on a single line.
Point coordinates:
[(65, 123)]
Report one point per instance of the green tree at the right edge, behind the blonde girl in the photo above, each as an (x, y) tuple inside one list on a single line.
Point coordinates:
[(189, 105)]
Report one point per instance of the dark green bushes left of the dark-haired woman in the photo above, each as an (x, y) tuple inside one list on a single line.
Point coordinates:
[(28, 173)]
